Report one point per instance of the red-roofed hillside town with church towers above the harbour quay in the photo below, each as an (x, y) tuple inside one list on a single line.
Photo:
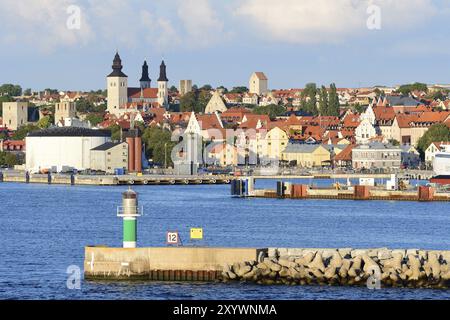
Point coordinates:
[(131, 129)]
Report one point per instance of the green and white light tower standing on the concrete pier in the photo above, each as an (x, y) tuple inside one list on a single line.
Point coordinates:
[(129, 211)]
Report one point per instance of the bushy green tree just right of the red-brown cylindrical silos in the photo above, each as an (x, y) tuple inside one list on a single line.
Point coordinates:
[(158, 145)]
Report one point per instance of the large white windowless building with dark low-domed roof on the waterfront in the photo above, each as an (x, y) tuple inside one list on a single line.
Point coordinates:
[(60, 148)]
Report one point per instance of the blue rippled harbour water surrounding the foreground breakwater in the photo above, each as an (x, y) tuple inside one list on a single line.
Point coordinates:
[(45, 228)]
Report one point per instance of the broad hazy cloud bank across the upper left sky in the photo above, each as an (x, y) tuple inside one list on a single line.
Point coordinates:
[(112, 23)]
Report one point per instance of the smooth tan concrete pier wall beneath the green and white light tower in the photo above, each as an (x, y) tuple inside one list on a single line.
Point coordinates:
[(143, 263)]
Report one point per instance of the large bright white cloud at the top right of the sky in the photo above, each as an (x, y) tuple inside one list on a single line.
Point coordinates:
[(309, 21)]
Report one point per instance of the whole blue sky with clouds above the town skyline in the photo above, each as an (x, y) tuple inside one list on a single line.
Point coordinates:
[(70, 44)]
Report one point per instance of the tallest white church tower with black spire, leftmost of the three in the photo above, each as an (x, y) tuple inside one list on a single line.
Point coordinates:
[(117, 86)]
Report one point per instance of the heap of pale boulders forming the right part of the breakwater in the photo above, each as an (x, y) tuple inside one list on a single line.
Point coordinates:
[(388, 268)]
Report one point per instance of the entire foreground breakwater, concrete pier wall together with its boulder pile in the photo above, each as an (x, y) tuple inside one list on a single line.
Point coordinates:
[(412, 268)]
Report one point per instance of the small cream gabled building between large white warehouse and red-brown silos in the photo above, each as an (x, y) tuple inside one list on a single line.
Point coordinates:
[(109, 157)]
